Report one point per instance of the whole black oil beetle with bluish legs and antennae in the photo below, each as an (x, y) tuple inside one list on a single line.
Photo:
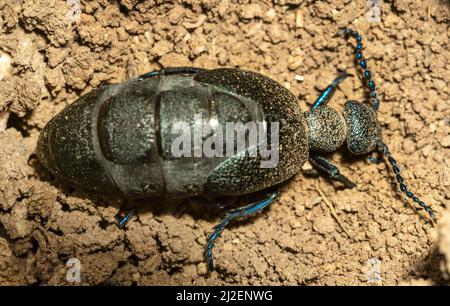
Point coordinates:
[(117, 139)]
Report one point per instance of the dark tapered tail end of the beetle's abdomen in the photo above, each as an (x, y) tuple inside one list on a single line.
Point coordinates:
[(67, 148)]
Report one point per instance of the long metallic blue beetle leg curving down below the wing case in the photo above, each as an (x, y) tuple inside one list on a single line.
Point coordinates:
[(233, 214)]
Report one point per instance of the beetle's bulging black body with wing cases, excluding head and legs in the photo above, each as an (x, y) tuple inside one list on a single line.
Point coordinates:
[(116, 140)]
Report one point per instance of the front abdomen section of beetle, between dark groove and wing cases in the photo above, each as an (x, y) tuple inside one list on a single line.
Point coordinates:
[(196, 108)]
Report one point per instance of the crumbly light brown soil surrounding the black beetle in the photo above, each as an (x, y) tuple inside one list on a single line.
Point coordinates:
[(59, 53)]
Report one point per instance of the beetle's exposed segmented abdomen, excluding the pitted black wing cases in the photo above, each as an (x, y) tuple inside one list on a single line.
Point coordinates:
[(120, 139)]
